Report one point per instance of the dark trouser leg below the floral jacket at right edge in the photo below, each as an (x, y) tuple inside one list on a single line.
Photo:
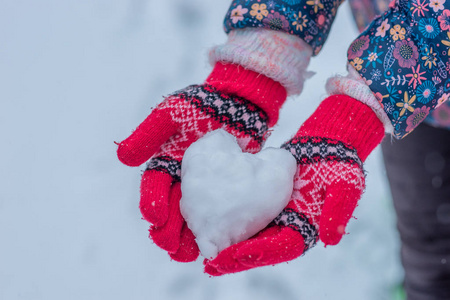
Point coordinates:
[(418, 169)]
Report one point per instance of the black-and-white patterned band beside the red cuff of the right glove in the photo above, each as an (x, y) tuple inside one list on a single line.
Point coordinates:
[(308, 150)]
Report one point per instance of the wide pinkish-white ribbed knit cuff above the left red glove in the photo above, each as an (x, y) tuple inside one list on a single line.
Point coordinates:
[(277, 55)]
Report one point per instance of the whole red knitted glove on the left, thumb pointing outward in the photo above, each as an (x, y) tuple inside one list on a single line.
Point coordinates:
[(242, 102)]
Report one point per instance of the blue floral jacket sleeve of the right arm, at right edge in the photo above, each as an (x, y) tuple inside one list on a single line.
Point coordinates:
[(403, 57)]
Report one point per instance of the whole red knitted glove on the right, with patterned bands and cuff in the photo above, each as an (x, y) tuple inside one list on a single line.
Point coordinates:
[(330, 148)]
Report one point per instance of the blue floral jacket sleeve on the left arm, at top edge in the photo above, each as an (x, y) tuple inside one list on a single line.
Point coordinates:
[(308, 19)]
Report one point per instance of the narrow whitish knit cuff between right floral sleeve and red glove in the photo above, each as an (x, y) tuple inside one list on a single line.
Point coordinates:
[(354, 86)]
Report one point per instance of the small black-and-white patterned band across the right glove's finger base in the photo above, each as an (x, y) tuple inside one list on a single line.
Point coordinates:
[(298, 222)]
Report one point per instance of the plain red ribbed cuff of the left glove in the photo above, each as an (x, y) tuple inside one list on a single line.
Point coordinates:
[(262, 91)]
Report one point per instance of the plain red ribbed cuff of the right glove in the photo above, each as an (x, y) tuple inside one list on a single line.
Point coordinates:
[(344, 119)]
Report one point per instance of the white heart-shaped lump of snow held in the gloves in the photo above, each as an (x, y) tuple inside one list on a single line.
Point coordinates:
[(227, 195)]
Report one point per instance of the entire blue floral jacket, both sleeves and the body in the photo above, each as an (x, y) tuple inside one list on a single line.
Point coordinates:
[(402, 54)]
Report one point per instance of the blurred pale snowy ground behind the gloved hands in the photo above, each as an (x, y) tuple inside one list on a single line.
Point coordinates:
[(76, 76)]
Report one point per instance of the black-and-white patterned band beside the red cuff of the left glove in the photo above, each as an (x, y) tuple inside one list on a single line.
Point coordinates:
[(236, 112)]
